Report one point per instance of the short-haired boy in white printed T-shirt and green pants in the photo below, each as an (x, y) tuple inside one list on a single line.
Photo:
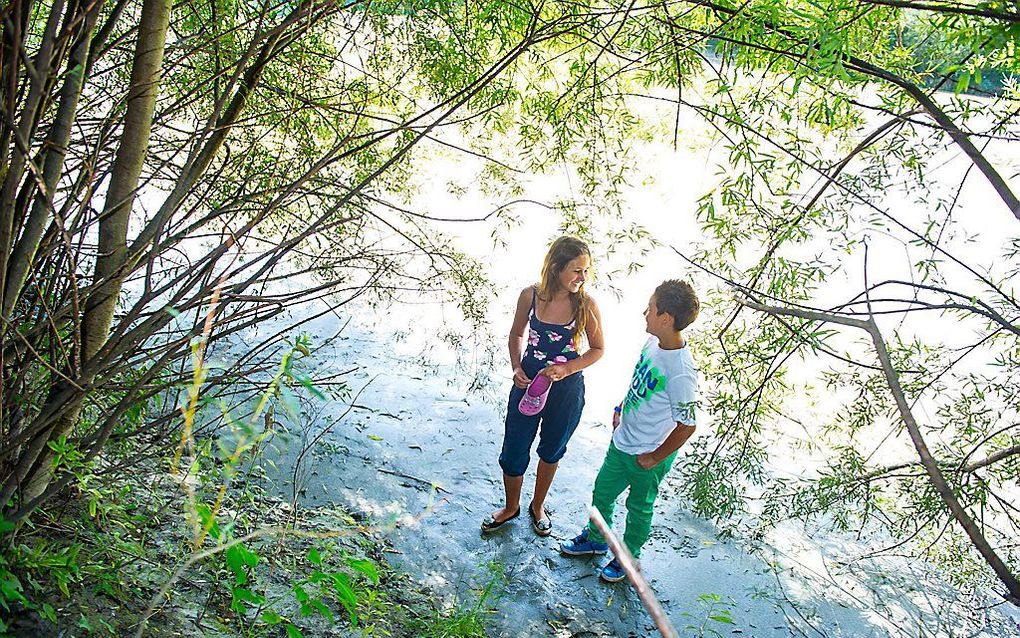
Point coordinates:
[(654, 421)]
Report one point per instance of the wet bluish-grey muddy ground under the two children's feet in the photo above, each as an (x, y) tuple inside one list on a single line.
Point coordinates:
[(418, 425)]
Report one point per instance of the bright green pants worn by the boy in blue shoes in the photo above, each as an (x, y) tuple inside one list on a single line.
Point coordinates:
[(621, 471)]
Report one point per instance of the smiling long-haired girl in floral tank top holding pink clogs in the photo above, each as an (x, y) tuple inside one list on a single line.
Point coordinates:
[(551, 316)]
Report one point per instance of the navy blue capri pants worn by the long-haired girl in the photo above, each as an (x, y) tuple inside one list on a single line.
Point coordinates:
[(554, 426)]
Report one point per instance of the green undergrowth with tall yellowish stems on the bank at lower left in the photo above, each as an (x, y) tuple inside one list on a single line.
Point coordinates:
[(120, 558)]
